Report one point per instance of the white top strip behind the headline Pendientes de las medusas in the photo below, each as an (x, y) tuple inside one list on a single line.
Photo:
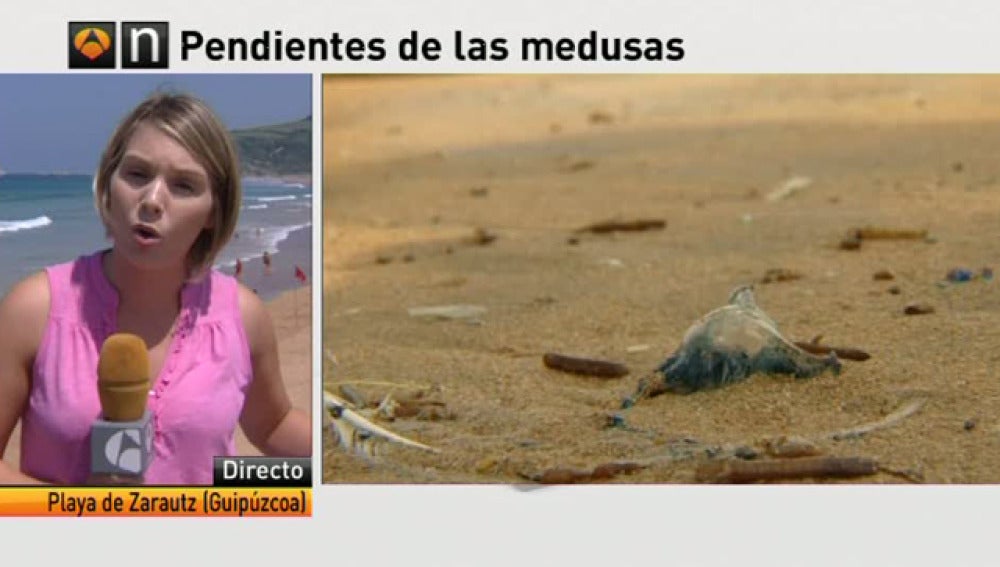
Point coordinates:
[(775, 36)]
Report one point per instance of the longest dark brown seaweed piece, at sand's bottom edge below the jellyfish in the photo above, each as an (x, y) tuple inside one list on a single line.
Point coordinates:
[(737, 471)]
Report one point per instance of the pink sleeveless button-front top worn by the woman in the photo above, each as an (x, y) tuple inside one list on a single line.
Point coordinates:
[(195, 401)]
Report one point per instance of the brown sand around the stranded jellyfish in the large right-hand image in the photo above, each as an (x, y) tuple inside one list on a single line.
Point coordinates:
[(471, 190)]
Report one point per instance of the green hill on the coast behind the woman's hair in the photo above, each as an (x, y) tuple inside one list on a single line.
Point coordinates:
[(276, 149)]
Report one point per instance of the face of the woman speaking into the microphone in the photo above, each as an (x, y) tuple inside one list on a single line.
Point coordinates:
[(159, 201)]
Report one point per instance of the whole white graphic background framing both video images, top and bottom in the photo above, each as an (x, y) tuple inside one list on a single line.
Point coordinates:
[(574, 526)]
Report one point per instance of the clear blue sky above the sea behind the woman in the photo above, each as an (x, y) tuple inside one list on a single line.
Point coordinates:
[(60, 122)]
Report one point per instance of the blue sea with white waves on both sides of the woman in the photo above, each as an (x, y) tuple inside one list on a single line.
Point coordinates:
[(48, 219)]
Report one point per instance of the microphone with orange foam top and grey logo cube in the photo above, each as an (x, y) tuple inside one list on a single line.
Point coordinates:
[(121, 441)]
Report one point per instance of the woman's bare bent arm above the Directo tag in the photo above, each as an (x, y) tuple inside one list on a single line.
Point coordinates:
[(268, 419)]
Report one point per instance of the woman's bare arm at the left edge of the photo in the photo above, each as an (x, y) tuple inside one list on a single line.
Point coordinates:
[(23, 313)]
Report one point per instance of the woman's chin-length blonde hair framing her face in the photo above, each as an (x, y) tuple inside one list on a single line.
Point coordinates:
[(192, 124)]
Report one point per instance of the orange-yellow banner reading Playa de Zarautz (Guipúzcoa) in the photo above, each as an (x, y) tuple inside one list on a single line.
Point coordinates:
[(155, 501)]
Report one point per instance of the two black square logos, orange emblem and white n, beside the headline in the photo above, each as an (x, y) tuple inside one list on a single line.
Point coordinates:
[(94, 45)]
